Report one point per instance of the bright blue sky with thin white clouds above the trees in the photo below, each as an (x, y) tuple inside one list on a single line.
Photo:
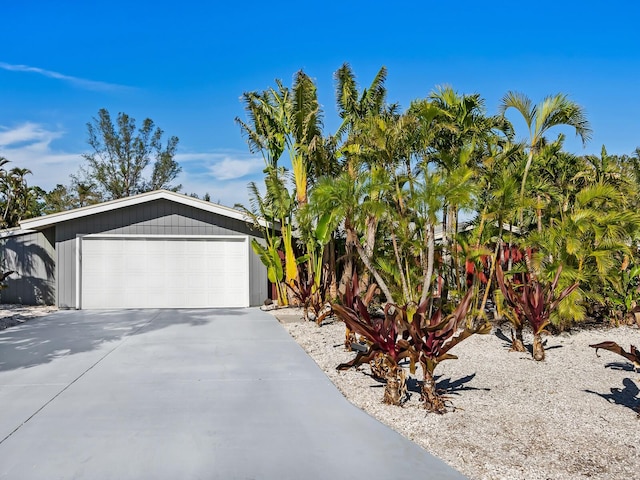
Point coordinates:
[(185, 65)]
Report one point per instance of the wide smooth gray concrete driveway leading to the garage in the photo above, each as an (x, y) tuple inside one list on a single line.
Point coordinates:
[(182, 394)]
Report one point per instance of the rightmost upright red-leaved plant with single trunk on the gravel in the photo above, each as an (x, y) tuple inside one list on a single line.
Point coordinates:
[(534, 302)]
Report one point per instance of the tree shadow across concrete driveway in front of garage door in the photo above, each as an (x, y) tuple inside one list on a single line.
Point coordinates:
[(44, 339)]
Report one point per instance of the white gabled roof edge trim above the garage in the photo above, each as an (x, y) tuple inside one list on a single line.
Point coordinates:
[(54, 218)]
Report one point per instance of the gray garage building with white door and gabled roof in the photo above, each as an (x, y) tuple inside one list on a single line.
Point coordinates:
[(154, 250)]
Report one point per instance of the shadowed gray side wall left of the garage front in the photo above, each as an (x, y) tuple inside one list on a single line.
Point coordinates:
[(32, 257)]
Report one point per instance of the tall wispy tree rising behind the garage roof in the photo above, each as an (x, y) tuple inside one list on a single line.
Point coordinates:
[(122, 154)]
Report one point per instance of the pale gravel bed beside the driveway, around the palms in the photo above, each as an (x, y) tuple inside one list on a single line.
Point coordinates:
[(571, 416)]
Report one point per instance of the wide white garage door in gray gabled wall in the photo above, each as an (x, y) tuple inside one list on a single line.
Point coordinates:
[(164, 272)]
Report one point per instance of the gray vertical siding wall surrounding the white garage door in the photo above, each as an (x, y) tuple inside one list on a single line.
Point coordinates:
[(160, 217)]
